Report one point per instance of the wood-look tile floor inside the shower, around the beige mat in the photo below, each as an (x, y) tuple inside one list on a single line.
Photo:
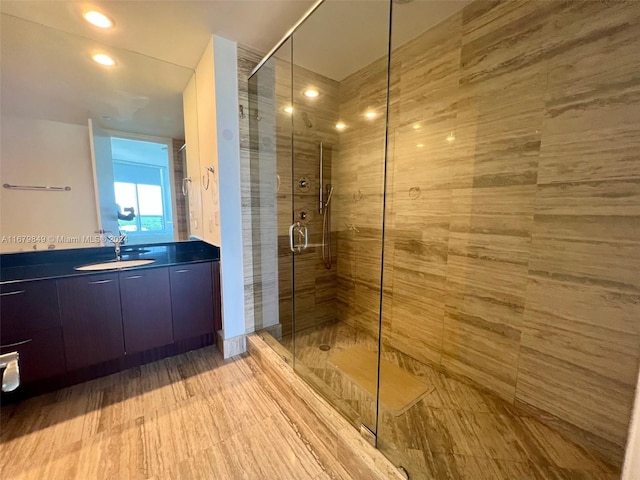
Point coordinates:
[(456, 431)]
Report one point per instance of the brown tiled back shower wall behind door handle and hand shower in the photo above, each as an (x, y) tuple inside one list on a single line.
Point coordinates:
[(313, 122)]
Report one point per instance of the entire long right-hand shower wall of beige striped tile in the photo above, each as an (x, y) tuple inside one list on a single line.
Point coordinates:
[(513, 203)]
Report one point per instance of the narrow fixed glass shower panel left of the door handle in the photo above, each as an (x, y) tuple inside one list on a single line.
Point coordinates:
[(271, 193)]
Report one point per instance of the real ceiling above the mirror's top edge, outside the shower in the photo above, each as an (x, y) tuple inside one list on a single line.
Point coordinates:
[(176, 31)]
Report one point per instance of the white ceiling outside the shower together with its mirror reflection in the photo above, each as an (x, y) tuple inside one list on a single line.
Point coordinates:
[(46, 46)]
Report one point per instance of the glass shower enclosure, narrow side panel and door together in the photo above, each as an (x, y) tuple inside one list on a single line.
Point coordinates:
[(305, 121)]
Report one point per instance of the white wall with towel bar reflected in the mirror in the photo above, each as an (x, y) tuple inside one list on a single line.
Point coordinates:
[(42, 152)]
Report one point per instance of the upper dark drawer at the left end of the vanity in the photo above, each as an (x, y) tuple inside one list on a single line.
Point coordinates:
[(27, 307)]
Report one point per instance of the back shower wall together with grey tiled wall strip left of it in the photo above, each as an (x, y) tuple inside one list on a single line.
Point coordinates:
[(269, 196)]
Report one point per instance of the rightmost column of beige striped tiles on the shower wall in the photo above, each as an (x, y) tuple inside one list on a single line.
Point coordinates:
[(582, 293)]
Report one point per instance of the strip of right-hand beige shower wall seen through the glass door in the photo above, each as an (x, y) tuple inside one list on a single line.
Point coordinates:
[(358, 177)]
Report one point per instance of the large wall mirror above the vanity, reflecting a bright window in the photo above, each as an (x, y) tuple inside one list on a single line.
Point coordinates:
[(102, 123)]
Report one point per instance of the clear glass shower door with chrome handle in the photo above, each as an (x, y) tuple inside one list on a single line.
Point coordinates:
[(338, 191)]
